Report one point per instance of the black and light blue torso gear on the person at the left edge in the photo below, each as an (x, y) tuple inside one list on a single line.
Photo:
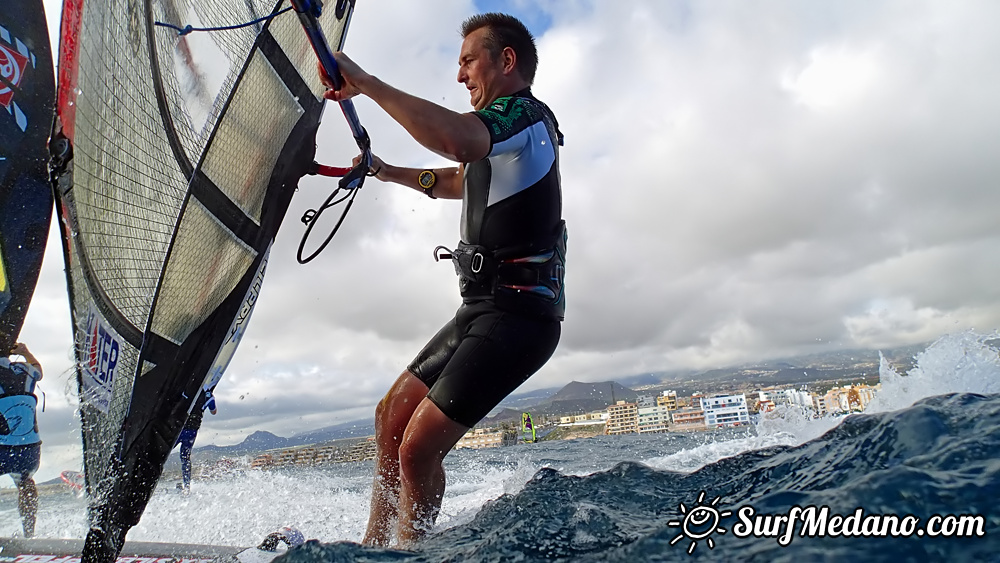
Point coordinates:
[(18, 425)]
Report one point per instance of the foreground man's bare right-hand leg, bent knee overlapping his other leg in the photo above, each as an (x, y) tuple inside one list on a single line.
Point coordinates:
[(429, 437)]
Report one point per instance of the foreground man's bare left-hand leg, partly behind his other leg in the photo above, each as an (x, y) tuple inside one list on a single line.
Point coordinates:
[(391, 417)]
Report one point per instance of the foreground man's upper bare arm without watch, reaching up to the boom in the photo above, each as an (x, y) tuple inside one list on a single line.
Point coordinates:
[(461, 137)]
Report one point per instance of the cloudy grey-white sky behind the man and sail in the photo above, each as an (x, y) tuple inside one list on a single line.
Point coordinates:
[(741, 181)]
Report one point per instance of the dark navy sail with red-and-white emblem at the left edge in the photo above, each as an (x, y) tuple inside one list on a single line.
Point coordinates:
[(27, 94)]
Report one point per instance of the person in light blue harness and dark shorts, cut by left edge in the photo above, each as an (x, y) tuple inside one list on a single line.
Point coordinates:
[(20, 444)]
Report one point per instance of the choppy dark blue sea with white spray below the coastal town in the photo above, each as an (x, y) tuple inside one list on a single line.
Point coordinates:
[(924, 457)]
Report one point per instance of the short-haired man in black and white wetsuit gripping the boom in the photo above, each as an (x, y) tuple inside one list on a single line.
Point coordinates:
[(510, 263)]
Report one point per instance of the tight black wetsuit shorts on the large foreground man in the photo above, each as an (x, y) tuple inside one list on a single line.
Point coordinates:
[(480, 357)]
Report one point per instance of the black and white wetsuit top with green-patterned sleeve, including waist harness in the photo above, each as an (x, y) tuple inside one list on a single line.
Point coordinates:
[(512, 206)]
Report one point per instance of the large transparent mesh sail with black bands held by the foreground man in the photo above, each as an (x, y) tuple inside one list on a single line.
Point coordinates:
[(175, 158)]
